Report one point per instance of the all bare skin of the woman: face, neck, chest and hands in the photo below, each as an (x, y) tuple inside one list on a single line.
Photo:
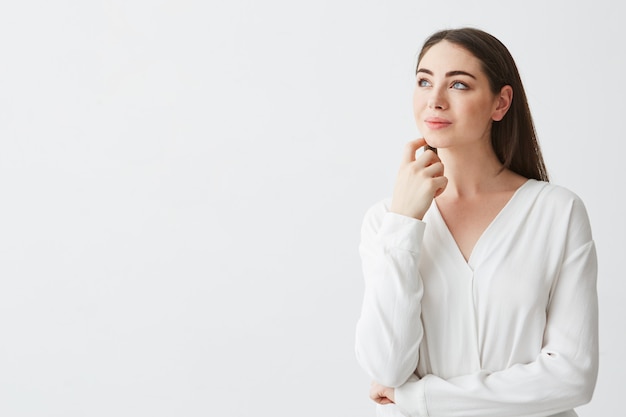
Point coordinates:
[(454, 109)]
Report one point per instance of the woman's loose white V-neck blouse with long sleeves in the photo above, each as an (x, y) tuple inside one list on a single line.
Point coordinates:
[(513, 331)]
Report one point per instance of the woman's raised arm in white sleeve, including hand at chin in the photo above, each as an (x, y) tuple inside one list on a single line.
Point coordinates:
[(389, 330)]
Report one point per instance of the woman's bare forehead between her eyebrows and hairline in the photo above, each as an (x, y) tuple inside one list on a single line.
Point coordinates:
[(446, 56)]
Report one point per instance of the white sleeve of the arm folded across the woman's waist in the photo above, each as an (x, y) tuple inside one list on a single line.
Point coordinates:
[(561, 377)]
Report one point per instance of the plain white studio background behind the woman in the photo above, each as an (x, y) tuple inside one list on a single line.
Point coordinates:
[(182, 186)]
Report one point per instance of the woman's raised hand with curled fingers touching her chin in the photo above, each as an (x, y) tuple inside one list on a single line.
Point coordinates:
[(419, 181)]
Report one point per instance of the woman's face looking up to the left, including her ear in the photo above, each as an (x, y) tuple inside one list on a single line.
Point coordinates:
[(452, 103)]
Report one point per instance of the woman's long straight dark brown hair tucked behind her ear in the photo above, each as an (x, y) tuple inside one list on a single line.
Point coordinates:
[(513, 138)]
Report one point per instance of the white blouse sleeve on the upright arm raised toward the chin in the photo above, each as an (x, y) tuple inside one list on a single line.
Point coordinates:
[(389, 330)]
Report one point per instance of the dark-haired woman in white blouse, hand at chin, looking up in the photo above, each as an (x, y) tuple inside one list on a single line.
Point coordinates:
[(480, 276)]
